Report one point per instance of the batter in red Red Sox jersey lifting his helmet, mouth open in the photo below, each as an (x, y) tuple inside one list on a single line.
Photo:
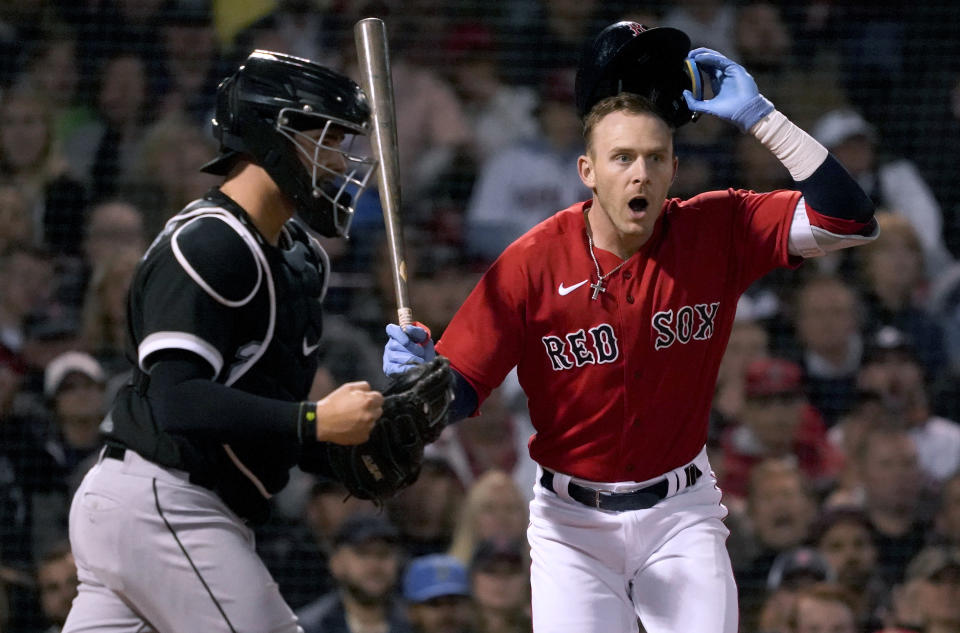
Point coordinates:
[(616, 312)]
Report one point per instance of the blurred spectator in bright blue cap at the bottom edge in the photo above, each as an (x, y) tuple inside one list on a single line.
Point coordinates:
[(437, 591)]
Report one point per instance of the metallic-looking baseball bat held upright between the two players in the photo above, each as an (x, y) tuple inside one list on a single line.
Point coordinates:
[(370, 35)]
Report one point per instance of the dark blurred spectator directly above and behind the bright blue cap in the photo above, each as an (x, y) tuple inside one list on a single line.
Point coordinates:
[(425, 512)]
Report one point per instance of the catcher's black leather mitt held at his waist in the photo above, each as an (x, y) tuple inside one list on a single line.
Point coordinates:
[(415, 410)]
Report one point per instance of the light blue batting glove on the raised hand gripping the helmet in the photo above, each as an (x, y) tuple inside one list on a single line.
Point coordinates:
[(736, 98)]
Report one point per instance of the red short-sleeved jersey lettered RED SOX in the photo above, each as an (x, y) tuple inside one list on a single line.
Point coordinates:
[(619, 388)]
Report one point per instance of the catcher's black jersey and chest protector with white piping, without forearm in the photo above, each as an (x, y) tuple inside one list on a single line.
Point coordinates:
[(211, 285)]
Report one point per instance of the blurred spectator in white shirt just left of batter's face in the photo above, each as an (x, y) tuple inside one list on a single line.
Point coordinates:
[(528, 181)]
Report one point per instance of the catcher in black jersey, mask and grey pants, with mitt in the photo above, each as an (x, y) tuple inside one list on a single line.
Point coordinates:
[(224, 325)]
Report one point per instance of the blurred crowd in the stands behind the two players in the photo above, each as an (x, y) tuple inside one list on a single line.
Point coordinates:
[(834, 433)]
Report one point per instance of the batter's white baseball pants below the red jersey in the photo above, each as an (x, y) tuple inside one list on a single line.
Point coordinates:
[(595, 571)]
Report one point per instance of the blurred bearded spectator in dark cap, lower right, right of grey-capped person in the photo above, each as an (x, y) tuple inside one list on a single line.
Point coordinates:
[(845, 538)]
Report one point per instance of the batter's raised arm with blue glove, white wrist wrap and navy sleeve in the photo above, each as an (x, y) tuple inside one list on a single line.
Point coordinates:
[(835, 212)]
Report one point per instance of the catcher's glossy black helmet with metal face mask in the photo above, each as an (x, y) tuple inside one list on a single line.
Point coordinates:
[(264, 111)]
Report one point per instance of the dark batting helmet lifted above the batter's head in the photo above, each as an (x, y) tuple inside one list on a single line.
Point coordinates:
[(652, 62)]
